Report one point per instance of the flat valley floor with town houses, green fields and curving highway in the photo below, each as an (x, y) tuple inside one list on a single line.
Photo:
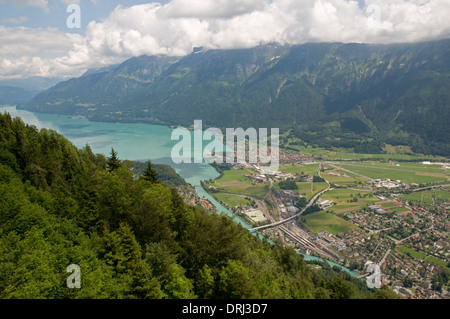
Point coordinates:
[(400, 223)]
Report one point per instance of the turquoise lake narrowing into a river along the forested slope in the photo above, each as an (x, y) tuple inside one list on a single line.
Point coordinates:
[(136, 142)]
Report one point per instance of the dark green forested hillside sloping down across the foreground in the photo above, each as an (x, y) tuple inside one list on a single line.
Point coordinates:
[(132, 238)]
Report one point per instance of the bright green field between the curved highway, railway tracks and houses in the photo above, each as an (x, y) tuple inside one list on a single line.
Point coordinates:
[(322, 220)]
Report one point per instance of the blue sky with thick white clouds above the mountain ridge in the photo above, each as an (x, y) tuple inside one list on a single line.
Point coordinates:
[(52, 38)]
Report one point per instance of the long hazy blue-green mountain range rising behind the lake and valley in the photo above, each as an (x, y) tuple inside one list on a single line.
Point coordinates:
[(357, 96)]
